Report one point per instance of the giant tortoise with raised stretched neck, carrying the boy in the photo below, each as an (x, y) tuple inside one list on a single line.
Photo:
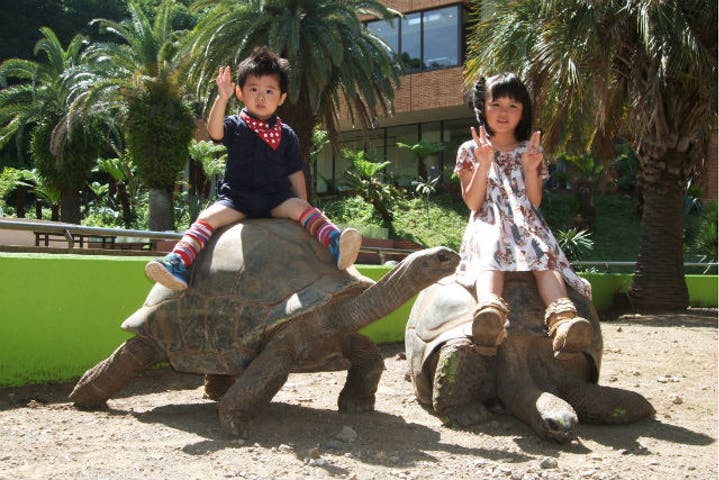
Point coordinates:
[(264, 299)]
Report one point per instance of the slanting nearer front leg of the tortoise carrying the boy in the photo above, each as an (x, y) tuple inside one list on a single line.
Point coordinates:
[(255, 387)]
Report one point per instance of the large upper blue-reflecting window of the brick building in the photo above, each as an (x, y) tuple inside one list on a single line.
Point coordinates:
[(427, 40)]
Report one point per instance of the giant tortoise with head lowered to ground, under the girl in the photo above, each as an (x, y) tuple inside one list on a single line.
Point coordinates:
[(458, 384)]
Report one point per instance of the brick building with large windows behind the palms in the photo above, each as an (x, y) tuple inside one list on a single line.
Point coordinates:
[(430, 104)]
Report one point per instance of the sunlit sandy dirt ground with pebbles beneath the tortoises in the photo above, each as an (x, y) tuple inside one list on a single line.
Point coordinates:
[(161, 428)]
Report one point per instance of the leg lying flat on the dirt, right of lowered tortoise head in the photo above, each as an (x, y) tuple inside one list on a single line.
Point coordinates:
[(605, 405)]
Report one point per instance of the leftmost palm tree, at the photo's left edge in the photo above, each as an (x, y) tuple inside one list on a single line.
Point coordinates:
[(38, 106)]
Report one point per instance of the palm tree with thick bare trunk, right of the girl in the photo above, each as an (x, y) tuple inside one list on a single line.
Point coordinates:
[(642, 67)]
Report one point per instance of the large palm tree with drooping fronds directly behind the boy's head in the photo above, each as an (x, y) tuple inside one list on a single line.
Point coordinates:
[(337, 64)]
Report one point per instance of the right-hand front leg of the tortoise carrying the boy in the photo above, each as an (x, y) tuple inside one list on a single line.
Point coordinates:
[(358, 394)]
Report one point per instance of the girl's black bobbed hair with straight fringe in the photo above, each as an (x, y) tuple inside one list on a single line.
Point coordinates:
[(503, 85)]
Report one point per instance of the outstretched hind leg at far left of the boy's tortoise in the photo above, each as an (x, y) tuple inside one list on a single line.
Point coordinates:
[(109, 376)]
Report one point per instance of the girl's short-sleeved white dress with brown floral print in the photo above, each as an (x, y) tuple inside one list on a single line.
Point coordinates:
[(508, 233)]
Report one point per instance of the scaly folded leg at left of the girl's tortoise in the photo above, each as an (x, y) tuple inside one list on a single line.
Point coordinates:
[(462, 383)]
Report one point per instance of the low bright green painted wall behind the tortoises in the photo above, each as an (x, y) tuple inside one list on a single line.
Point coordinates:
[(61, 314)]
